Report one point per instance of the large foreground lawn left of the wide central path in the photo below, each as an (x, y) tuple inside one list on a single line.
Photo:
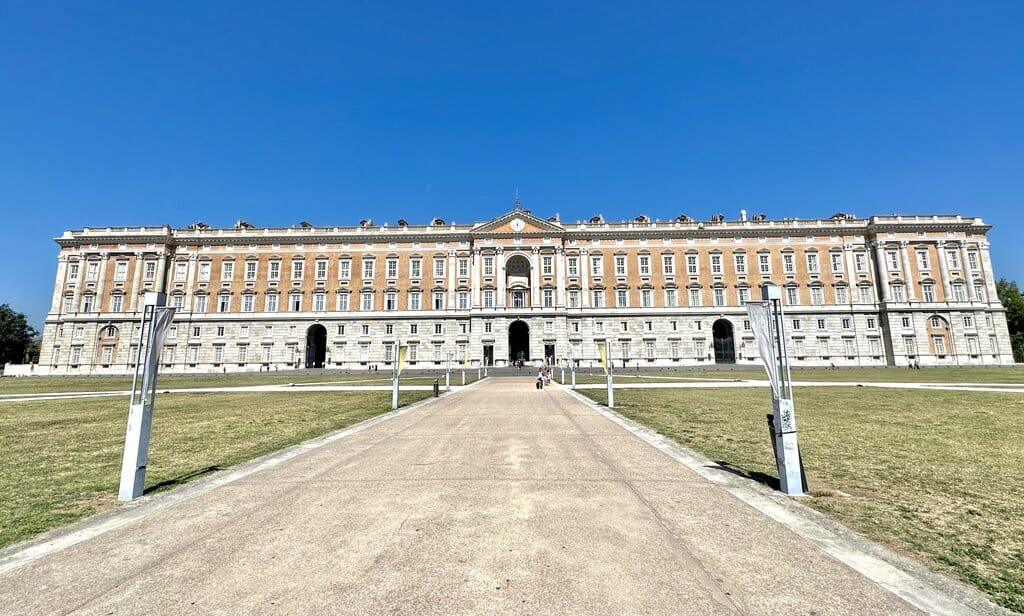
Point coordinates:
[(61, 461)]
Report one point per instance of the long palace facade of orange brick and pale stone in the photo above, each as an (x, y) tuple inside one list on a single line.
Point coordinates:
[(879, 291)]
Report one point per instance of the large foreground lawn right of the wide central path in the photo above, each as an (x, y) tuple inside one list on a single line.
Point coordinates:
[(933, 474)]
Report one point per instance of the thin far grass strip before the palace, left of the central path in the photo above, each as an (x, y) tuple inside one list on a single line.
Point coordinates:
[(38, 385)]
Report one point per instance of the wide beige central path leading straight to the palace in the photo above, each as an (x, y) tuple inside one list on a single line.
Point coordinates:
[(498, 499)]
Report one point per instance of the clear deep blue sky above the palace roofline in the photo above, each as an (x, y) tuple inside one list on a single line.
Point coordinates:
[(122, 114)]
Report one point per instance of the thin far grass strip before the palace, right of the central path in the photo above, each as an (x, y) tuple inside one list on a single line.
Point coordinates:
[(1005, 376)]
